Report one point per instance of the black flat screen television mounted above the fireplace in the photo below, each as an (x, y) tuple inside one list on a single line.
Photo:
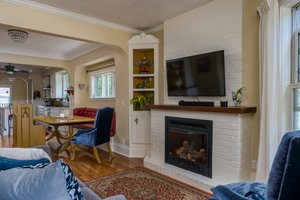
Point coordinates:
[(198, 75)]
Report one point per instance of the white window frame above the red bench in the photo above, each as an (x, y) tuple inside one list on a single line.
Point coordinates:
[(100, 72)]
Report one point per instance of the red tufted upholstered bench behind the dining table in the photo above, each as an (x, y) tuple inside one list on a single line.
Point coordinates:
[(91, 113)]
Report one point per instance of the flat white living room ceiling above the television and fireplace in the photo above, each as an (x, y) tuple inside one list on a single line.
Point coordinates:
[(137, 14)]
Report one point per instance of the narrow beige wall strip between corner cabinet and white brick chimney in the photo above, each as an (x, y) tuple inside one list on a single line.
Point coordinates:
[(160, 36)]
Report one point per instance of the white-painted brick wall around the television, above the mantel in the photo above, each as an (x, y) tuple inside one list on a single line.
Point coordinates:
[(214, 26)]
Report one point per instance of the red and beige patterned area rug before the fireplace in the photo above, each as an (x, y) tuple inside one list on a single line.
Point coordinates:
[(144, 184)]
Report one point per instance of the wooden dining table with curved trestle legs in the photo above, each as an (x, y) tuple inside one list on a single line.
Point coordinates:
[(57, 122)]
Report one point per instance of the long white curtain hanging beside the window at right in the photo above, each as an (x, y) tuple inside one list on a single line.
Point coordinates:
[(269, 86)]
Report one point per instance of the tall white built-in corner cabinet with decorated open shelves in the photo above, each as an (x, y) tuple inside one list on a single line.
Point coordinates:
[(143, 88)]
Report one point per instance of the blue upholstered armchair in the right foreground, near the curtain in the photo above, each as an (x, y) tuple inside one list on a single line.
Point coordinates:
[(284, 177)]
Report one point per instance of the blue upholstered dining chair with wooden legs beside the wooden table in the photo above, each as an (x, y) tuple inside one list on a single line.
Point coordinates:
[(100, 134)]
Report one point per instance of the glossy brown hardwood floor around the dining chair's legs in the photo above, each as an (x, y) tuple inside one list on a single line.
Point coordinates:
[(85, 166)]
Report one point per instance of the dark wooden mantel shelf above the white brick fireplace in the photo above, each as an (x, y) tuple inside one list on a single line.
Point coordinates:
[(218, 109)]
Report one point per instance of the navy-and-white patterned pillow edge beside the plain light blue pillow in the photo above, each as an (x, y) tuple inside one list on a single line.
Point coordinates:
[(72, 183)]
